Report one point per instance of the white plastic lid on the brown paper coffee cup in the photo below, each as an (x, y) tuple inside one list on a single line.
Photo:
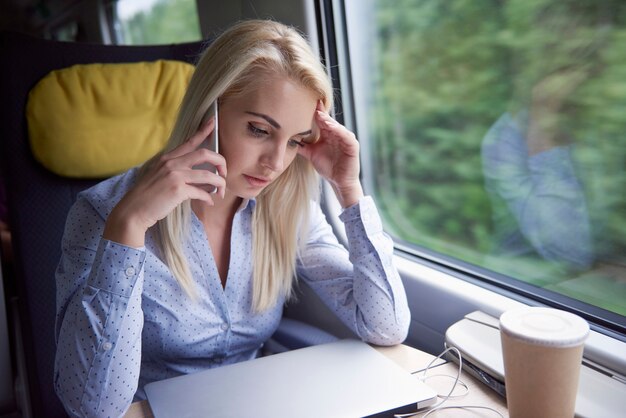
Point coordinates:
[(545, 326)]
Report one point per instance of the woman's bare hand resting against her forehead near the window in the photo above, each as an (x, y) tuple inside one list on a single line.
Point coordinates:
[(335, 157)]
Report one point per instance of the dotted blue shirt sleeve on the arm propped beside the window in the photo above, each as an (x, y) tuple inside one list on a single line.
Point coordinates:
[(361, 285)]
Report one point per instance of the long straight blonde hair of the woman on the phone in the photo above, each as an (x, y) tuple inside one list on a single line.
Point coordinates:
[(234, 64)]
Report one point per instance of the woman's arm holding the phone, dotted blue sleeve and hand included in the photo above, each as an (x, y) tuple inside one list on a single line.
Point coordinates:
[(100, 277)]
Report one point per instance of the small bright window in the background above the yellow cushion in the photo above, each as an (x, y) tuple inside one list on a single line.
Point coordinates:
[(155, 21)]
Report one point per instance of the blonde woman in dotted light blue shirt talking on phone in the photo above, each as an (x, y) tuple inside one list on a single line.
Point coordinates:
[(159, 277)]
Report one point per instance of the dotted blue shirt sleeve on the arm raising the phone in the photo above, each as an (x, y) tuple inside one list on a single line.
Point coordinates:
[(99, 318)]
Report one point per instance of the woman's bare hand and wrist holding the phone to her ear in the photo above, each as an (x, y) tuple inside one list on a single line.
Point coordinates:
[(170, 181)]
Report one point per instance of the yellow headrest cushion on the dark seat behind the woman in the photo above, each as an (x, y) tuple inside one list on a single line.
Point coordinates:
[(97, 120)]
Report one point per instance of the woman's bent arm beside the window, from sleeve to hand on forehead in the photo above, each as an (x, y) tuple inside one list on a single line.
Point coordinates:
[(361, 285)]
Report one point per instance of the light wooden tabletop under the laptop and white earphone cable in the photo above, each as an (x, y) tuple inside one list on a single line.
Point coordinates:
[(414, 361)]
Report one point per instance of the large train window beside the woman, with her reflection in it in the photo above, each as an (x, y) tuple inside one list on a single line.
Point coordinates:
[(493, 139)]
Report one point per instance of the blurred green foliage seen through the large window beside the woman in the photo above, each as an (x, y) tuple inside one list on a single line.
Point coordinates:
[(445, 71)]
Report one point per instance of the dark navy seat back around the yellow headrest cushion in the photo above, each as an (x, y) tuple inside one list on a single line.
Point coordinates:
[(38, 200)]
